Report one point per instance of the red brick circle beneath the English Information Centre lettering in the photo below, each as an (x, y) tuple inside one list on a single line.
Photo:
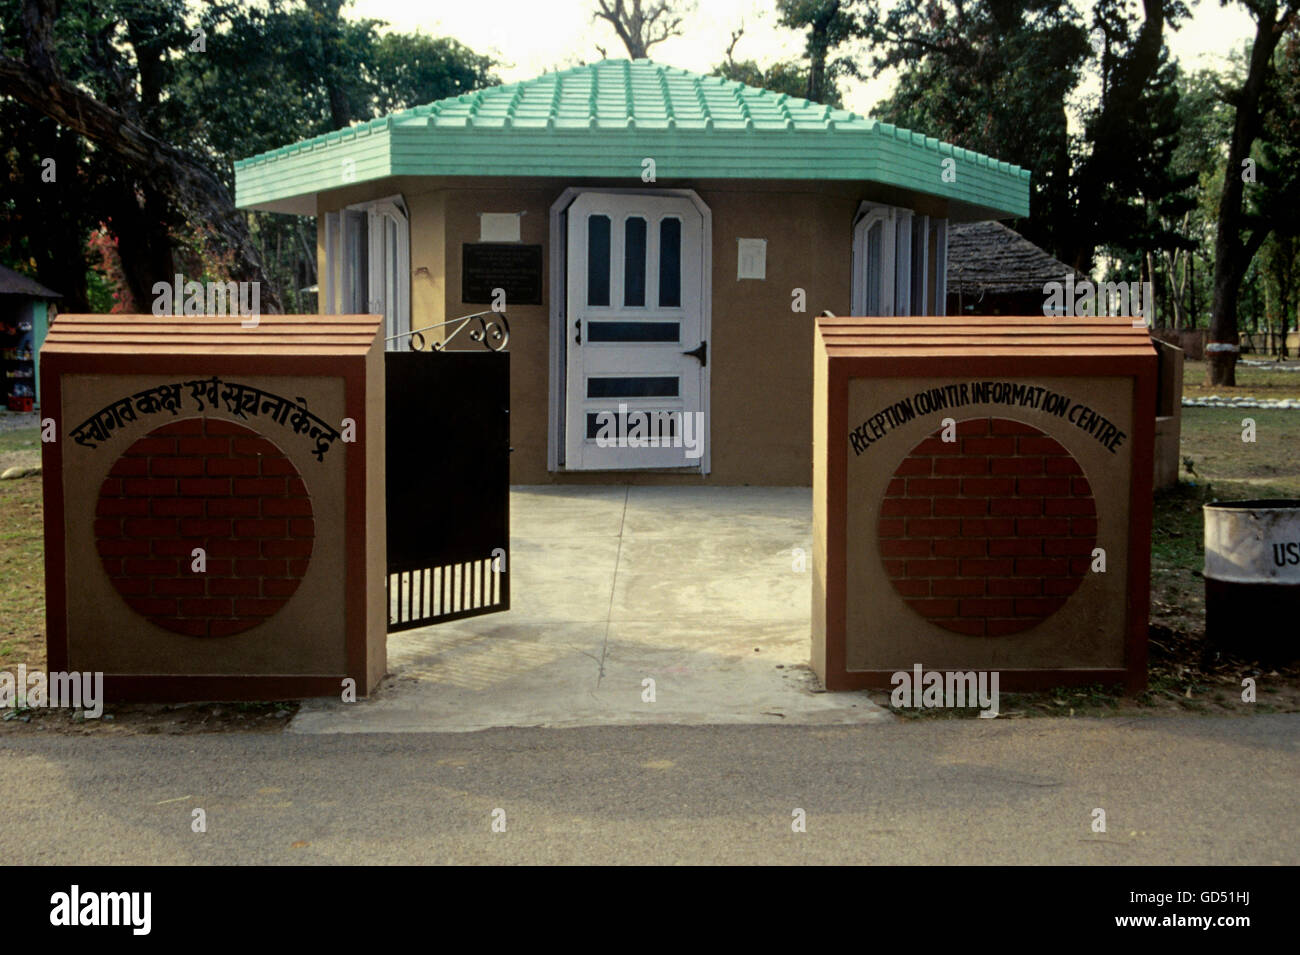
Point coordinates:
[(991, 533)]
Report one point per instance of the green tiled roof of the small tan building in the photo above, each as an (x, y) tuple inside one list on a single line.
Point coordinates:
[(603, 120)]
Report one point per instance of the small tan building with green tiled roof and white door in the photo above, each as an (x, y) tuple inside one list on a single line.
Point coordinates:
[(662, 242)]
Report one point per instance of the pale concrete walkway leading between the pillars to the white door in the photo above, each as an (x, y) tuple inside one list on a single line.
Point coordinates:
[(694, 588)]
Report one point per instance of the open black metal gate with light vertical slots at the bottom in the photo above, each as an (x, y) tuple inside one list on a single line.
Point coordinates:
[(448, 485)]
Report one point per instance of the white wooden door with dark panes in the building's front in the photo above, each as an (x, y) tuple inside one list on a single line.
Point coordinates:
[(636, 357)]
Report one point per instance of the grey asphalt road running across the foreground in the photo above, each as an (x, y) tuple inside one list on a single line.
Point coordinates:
[(1175, 792)]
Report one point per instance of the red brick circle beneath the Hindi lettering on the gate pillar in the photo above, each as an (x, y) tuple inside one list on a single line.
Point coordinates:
[(203, 483)]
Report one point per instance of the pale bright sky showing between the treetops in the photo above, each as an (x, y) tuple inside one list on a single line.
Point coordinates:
[(530, 37)]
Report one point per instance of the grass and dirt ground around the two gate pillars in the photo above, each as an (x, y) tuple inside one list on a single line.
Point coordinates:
[(1186, 675)]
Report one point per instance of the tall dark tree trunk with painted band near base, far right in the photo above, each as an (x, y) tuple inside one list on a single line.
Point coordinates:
[(1238, 238)]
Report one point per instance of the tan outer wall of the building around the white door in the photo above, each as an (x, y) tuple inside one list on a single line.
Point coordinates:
[(760, 351)]
